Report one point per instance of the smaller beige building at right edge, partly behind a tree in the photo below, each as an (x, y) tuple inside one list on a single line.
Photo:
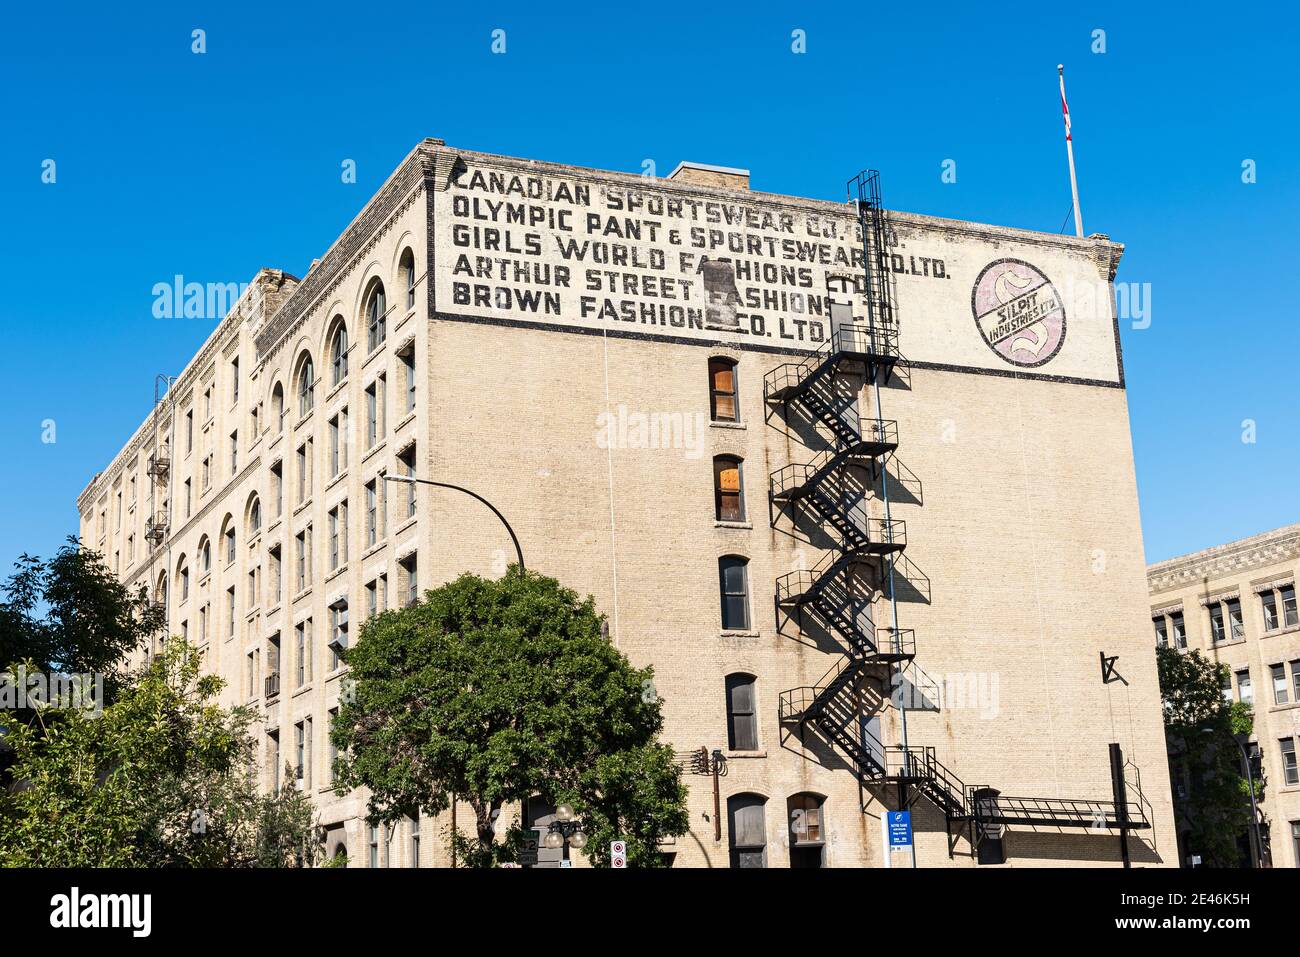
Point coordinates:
[(1237, 605)]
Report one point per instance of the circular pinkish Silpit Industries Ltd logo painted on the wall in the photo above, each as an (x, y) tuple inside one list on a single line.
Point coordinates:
[(1019, 313)]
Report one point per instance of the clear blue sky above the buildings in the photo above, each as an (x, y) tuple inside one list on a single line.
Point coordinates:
[(219, 164)]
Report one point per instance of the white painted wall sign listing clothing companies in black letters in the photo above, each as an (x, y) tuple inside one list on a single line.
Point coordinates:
[(653, 259)]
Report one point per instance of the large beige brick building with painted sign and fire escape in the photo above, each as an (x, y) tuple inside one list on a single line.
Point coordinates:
[(708, 408)]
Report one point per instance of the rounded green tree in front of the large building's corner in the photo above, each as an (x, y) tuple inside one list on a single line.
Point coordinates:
[(499, 691)]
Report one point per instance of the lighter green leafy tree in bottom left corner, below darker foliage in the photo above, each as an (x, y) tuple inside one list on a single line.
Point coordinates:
[(163, 778)]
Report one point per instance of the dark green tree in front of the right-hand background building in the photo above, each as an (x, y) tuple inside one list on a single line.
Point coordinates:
[(1199, 729)]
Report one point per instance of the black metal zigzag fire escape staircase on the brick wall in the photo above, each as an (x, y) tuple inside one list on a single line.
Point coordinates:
[(833, 592)]
